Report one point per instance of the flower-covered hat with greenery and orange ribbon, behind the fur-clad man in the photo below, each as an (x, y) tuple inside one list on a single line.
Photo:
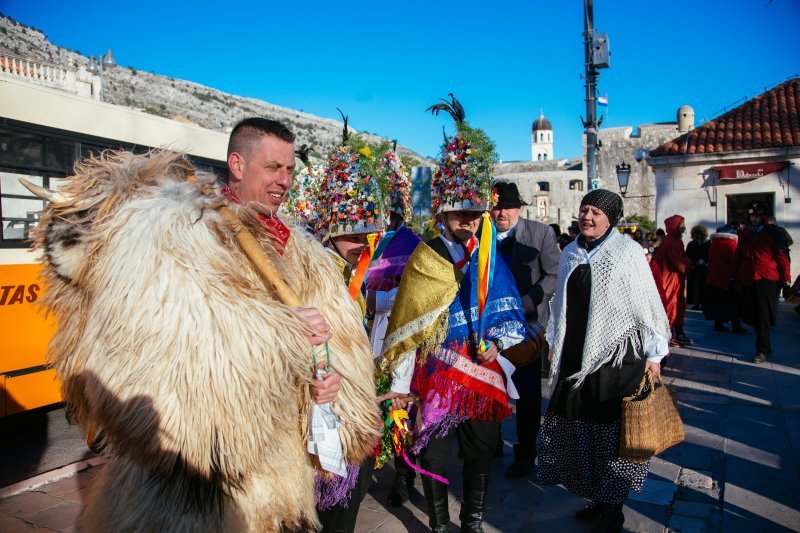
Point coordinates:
[(353, 195)]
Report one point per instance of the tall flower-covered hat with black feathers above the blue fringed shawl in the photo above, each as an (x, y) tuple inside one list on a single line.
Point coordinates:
[(463, 181)]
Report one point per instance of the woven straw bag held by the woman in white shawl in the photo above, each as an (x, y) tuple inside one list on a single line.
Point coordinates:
[(650, 422)]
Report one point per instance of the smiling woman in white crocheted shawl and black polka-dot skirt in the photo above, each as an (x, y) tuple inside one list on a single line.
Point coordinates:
[(606, 328)]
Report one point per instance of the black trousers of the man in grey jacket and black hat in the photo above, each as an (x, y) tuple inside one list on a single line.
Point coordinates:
[(528, 380)]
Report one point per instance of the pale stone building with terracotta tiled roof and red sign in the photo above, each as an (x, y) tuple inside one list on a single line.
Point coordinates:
[(712, 174)]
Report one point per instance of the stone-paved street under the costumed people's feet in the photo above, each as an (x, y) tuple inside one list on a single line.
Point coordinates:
[(737, 471)]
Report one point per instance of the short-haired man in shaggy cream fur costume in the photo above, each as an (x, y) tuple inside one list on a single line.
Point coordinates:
[(171, 346)]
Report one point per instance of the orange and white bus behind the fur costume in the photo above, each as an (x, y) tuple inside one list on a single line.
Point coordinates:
[(43, 132)]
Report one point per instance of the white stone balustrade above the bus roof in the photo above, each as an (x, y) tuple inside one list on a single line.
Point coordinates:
[(76, 81)]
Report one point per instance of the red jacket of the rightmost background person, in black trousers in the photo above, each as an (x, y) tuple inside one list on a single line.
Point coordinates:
[(761, 255)]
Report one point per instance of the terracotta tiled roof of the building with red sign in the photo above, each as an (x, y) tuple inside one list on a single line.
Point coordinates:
[(771, 120)]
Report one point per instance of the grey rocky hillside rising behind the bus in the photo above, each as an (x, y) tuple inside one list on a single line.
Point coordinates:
[(174, 98)]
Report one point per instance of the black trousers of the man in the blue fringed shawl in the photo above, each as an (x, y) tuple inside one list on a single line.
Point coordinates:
[(476, 440)]
